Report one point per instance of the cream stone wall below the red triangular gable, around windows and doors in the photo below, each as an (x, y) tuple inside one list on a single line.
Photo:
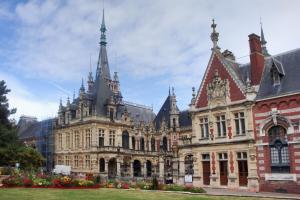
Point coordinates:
[(231, 144)]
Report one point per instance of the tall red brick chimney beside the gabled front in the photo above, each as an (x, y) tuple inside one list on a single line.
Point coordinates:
[(257, 60)]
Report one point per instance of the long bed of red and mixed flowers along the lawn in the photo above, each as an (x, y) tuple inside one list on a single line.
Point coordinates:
[(69, 182)]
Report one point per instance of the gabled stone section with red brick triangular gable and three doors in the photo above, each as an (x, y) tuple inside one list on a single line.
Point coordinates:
[(222, 150)]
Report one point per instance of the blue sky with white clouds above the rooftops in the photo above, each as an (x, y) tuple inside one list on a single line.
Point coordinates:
[(45, 46)]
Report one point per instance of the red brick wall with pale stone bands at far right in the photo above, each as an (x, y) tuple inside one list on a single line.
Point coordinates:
[(285, 112)]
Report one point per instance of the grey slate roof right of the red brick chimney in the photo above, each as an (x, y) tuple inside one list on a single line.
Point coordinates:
[(288, 64)]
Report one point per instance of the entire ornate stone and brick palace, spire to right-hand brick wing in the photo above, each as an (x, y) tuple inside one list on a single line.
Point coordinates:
[(241, 130)]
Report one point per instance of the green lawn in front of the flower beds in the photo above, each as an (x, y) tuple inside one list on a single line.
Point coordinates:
[(103, 193)]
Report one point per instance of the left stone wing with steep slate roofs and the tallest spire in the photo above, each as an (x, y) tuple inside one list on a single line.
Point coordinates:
[(98, 132)]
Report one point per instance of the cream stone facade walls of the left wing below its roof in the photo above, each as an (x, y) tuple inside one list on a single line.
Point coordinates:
[(89, 155)]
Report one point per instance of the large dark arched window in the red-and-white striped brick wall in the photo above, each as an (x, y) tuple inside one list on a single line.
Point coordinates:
[(279, 152)]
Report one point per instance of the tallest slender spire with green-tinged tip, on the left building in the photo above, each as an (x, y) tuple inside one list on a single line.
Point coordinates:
[(102, 66)]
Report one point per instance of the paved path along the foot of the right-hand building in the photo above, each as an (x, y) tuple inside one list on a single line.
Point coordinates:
[(227, 192)]
